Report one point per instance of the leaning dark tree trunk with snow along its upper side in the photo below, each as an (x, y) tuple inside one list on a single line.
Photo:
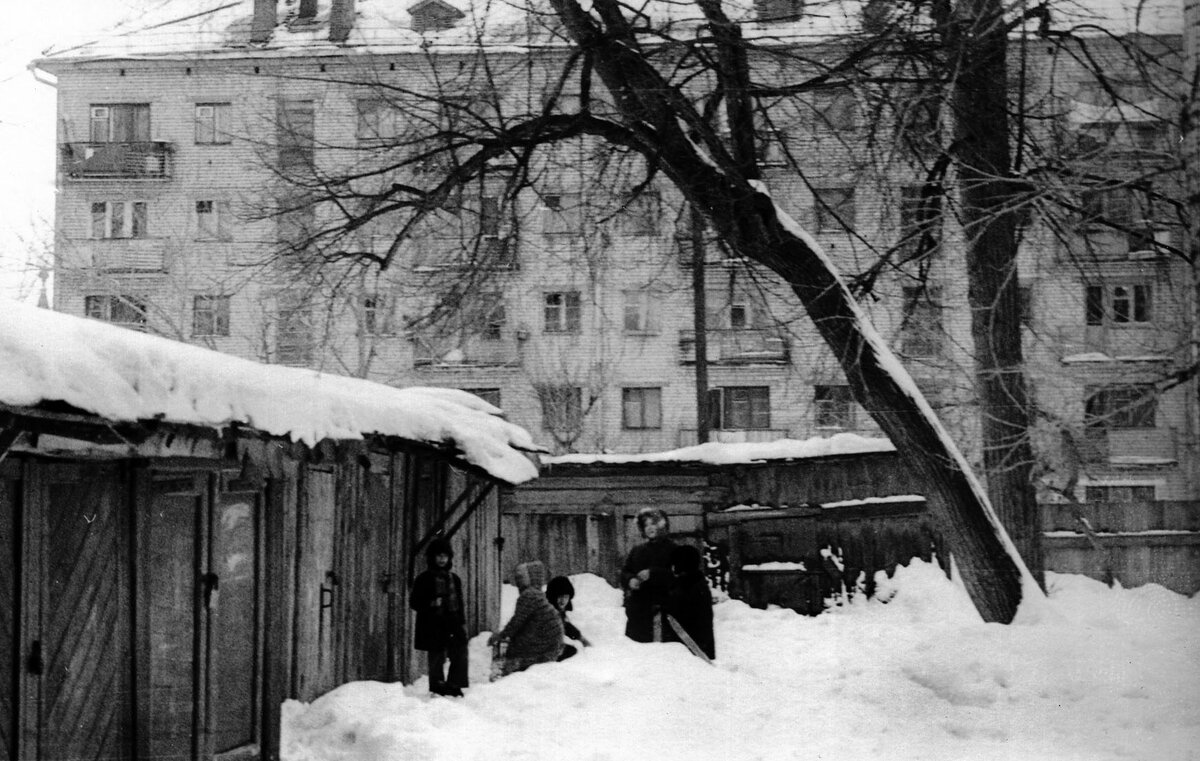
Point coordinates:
[(727, 191)]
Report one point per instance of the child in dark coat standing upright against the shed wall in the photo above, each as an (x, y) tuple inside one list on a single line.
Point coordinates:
[(441, 620)]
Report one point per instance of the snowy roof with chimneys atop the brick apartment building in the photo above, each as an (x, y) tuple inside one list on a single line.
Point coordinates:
[(215, 29)]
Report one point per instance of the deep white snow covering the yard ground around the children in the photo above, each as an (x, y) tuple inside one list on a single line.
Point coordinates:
[(1102, 674)]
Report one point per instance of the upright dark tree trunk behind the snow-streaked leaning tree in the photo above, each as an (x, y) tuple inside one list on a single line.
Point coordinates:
[(989, 201)]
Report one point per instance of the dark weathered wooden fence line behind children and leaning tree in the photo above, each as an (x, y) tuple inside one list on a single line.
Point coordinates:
[(580, 519)]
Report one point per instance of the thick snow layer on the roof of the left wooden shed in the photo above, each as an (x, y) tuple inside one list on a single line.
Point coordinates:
[(128, 376)]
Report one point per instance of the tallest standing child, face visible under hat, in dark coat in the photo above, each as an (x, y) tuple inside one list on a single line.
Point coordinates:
[(646, 577)]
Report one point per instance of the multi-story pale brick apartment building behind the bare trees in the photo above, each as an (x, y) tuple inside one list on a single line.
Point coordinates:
[(176, 183)]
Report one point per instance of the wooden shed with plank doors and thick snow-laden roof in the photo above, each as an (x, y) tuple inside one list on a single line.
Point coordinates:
[(188, 540)]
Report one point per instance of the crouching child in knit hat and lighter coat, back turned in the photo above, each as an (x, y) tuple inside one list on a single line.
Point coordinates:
[(535, 634)]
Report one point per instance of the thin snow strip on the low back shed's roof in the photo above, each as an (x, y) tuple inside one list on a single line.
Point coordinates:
[(716, 453)]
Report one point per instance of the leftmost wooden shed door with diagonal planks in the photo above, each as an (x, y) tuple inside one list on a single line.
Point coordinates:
[(77, 614)]
